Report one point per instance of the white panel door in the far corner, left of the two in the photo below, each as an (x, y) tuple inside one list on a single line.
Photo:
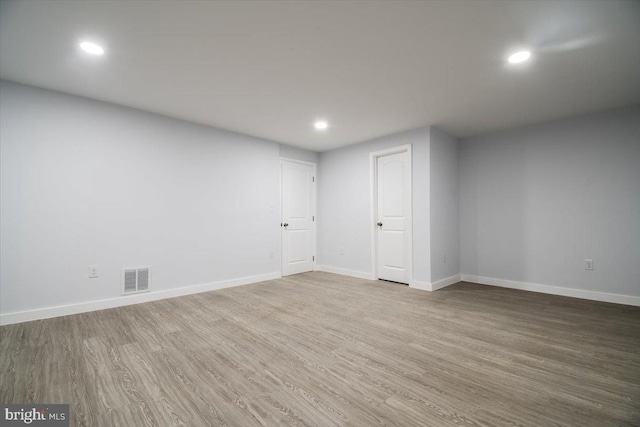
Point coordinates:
[(298, 217)]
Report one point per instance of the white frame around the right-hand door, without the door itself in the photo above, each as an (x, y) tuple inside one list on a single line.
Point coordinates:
[(374, 206)]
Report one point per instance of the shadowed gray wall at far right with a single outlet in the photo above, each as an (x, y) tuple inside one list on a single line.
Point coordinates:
[(536, 201)]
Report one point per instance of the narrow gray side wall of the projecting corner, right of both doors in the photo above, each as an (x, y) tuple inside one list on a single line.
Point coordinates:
[(445, 221)]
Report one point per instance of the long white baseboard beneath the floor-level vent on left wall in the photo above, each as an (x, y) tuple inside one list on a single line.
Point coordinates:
[(64, 310)]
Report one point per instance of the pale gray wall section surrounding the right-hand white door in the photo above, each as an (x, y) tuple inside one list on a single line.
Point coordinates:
[(344, 194)]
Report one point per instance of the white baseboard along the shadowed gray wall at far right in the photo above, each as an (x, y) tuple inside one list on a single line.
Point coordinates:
[(554, 290)]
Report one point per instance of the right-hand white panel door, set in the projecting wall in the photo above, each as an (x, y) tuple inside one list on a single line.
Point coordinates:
[(393, 216)]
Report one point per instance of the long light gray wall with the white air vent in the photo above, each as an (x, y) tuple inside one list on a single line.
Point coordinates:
[(85, 182)]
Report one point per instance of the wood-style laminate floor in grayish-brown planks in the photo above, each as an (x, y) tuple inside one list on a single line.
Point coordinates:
[(322, 349)]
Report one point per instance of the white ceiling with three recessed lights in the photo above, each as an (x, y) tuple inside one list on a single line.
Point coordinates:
[(270, 68)]
